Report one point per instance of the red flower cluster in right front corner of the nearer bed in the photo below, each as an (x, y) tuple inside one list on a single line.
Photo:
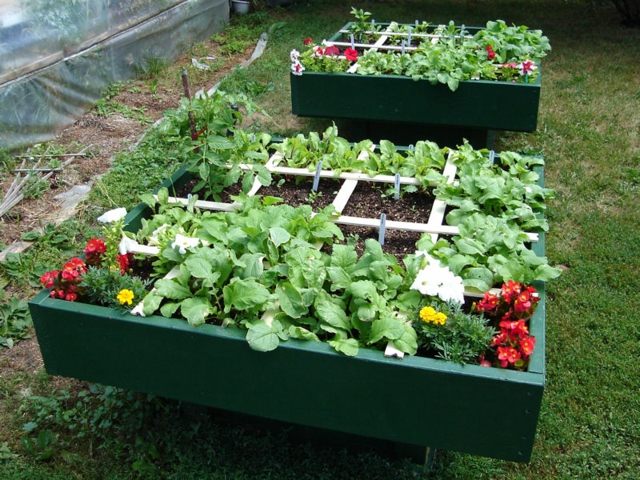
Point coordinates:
[(514, 306)]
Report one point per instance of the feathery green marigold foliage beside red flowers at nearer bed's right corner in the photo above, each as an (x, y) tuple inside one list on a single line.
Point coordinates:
[(462, 339)]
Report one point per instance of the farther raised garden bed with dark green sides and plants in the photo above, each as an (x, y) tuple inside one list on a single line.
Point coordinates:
[(346, 93)]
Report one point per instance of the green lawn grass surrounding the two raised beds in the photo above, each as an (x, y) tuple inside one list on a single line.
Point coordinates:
[(589, 428)]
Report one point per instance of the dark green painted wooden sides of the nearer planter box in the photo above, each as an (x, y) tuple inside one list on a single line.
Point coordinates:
[(418, 401)]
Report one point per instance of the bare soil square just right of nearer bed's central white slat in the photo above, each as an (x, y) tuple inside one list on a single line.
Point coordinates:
[(368, 200)]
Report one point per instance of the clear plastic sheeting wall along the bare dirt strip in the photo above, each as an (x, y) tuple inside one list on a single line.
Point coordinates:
[(56, 56)]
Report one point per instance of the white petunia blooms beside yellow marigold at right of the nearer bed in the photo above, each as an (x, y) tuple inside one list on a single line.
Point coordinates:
[(438, 281)]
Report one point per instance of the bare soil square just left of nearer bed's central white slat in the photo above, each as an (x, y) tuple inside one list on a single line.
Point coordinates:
[(296, 191)]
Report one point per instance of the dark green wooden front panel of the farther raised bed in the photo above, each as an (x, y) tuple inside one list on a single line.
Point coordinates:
[(477, 104)]
